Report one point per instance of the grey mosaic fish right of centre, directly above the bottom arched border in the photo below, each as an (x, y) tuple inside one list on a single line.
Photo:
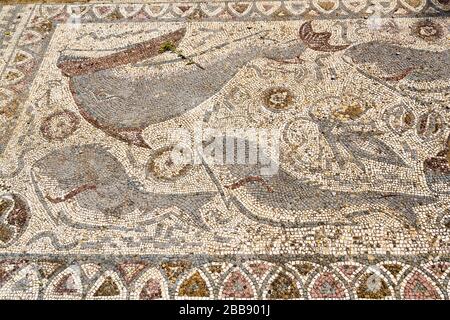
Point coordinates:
[(287, 192)]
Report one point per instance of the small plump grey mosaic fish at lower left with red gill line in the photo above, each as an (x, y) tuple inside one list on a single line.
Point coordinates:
[(98, 181)]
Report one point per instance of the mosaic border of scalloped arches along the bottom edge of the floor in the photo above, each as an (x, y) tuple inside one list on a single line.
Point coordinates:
[(265, 277)]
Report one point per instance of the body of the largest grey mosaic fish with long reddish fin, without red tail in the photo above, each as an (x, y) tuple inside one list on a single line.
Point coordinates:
[(123, 105)]
